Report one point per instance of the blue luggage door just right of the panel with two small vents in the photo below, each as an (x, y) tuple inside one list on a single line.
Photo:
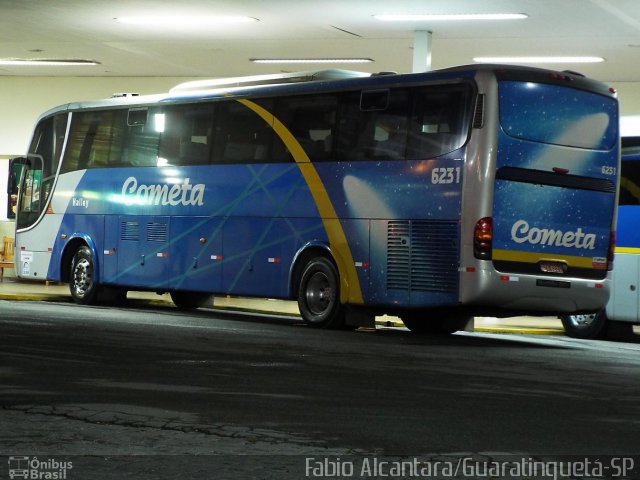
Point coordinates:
[(196, 254)]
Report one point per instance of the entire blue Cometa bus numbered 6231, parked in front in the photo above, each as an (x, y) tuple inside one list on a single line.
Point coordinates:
[(473, 190)]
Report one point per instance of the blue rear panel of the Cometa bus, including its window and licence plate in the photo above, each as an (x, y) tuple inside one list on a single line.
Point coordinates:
[(555, 181)]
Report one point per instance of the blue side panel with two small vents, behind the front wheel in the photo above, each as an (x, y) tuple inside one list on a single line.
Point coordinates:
[(136, 251)]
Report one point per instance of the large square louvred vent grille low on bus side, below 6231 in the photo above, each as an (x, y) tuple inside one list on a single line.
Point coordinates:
[(422, 256)]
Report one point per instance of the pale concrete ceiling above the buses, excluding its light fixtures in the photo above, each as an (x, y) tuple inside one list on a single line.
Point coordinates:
[(86, 29)]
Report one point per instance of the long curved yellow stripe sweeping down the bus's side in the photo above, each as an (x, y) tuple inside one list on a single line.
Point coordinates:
[(350, 291)]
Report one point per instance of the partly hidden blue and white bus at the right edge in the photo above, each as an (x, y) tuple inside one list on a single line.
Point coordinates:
[(623, 309)]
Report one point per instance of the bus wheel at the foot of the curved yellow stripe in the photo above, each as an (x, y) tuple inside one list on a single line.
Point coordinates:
[(319, 295)]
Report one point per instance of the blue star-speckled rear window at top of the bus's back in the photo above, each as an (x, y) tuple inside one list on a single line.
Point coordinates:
[(558, 115)]
